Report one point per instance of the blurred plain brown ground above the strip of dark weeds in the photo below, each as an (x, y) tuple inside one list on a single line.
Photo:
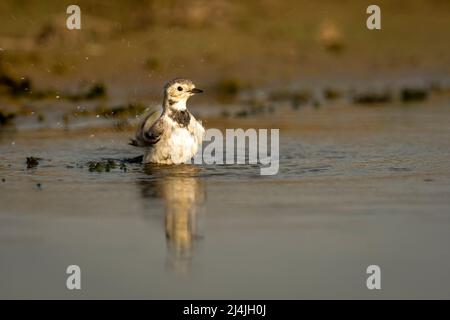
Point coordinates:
[(143, 43)]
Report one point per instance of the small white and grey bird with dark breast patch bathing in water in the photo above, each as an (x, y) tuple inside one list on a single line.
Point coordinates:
[(175, 135)]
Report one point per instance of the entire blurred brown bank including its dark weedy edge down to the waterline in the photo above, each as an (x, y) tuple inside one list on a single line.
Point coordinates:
[(252, 55)]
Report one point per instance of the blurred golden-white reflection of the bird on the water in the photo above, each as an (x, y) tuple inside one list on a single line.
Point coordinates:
[(183, 193)]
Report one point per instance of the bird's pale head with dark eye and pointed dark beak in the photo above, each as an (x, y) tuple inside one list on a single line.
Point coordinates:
[(176, 93)]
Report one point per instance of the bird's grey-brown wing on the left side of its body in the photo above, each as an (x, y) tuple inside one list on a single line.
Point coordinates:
[(149, 131)]
